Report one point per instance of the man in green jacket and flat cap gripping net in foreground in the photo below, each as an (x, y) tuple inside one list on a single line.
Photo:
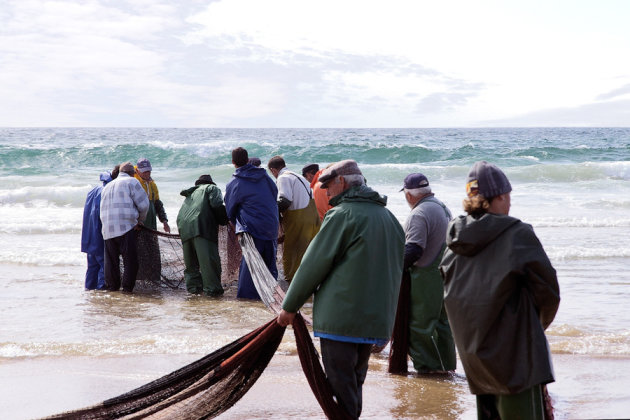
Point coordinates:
[(353, 268)]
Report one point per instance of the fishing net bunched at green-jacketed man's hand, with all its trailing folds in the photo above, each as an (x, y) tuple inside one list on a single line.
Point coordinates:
[(211, 385)]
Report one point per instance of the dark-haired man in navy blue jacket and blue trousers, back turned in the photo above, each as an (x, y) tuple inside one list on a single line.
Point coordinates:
[(250, 201)]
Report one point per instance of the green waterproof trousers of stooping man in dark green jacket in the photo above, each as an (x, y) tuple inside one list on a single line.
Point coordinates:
[(203, 266)]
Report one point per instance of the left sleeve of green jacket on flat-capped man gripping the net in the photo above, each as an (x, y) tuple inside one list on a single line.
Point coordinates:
[(328, 246)]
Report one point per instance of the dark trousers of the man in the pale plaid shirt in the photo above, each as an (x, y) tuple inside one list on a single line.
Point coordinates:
[(124, 245)]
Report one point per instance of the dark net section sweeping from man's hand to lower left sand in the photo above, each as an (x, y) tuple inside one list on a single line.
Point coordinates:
[(201, 390)]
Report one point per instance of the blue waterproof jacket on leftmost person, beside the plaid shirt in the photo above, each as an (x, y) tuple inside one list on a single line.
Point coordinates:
[(91, 236)]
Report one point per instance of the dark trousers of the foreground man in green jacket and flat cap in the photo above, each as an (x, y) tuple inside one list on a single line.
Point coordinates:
[(346, 366)]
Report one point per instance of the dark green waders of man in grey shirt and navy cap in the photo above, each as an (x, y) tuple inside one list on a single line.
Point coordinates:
[(431, 344)]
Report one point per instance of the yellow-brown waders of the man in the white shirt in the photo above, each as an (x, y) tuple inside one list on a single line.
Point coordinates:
[(300, 227)]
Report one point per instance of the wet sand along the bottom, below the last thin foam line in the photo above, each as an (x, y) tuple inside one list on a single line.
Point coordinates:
[(585, 387)]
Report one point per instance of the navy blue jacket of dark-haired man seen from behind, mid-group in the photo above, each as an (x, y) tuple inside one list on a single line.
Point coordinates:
[(250, 201)]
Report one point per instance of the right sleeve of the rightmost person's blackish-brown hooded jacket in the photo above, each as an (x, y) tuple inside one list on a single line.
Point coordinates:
[(542, 281)]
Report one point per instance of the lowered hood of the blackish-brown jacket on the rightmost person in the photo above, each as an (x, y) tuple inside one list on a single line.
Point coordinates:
[(468, 235)]
